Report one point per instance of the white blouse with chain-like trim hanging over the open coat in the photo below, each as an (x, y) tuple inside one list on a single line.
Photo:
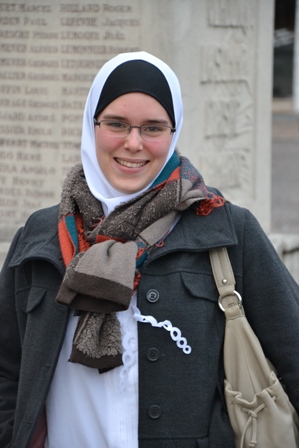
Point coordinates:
[(92, 410)]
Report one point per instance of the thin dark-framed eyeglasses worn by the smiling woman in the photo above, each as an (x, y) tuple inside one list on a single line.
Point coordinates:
[(149, 132)]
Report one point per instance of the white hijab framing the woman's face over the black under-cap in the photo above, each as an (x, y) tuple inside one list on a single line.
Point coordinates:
[(96, 181)]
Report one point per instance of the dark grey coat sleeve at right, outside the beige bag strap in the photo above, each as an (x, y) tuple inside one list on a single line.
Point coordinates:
[(271, 302)]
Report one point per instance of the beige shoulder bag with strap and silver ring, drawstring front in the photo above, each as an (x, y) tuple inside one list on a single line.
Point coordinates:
[(259, 410)]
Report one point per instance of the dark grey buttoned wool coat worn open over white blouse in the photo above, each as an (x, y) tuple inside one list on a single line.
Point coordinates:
[(180, 396)]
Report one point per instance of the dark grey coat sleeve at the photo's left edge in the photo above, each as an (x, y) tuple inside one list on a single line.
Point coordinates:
[(10, 350)]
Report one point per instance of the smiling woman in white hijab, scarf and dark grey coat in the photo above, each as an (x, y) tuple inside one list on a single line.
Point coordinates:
[(111, 335)]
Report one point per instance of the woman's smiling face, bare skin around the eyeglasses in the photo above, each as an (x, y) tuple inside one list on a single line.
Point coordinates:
[(130, 163)]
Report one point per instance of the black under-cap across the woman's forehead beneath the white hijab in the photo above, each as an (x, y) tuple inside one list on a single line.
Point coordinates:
[(136, 76)]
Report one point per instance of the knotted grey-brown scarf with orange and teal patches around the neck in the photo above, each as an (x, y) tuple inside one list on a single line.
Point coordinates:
[(102, 256)]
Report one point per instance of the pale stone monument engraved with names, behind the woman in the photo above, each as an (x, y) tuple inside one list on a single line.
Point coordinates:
[(51, 50)]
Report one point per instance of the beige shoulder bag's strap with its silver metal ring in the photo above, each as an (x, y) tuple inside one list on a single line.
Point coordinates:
[(223, 275)]
